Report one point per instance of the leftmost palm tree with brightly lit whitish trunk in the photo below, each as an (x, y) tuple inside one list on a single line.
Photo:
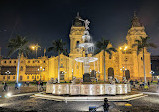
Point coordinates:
[(18, 44)]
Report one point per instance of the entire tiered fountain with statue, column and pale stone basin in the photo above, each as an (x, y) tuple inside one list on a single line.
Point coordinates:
[(86, 88)]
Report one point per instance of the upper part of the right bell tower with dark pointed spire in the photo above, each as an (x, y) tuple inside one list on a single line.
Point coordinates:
[(136, 31)]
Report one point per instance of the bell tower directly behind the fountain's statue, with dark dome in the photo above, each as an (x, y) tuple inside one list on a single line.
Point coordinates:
[(76, 33)]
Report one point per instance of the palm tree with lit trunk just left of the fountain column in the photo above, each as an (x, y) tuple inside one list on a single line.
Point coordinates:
[(58, 46)]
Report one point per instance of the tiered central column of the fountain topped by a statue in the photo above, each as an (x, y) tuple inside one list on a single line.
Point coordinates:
[(86, 45)]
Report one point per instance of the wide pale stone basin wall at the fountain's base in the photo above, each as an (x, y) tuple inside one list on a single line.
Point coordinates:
[(88, 89)]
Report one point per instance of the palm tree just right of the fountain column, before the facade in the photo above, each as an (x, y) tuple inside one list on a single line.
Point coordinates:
[(103, 46)]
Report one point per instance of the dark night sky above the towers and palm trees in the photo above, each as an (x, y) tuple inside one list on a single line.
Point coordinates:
[(43, 21)]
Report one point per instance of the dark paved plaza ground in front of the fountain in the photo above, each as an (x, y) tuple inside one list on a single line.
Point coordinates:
[(27, 103)]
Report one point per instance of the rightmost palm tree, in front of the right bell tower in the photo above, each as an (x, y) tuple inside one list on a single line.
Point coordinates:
[(142, 44)]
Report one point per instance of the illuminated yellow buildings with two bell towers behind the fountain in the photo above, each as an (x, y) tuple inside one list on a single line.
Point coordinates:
[(124, 62)]
